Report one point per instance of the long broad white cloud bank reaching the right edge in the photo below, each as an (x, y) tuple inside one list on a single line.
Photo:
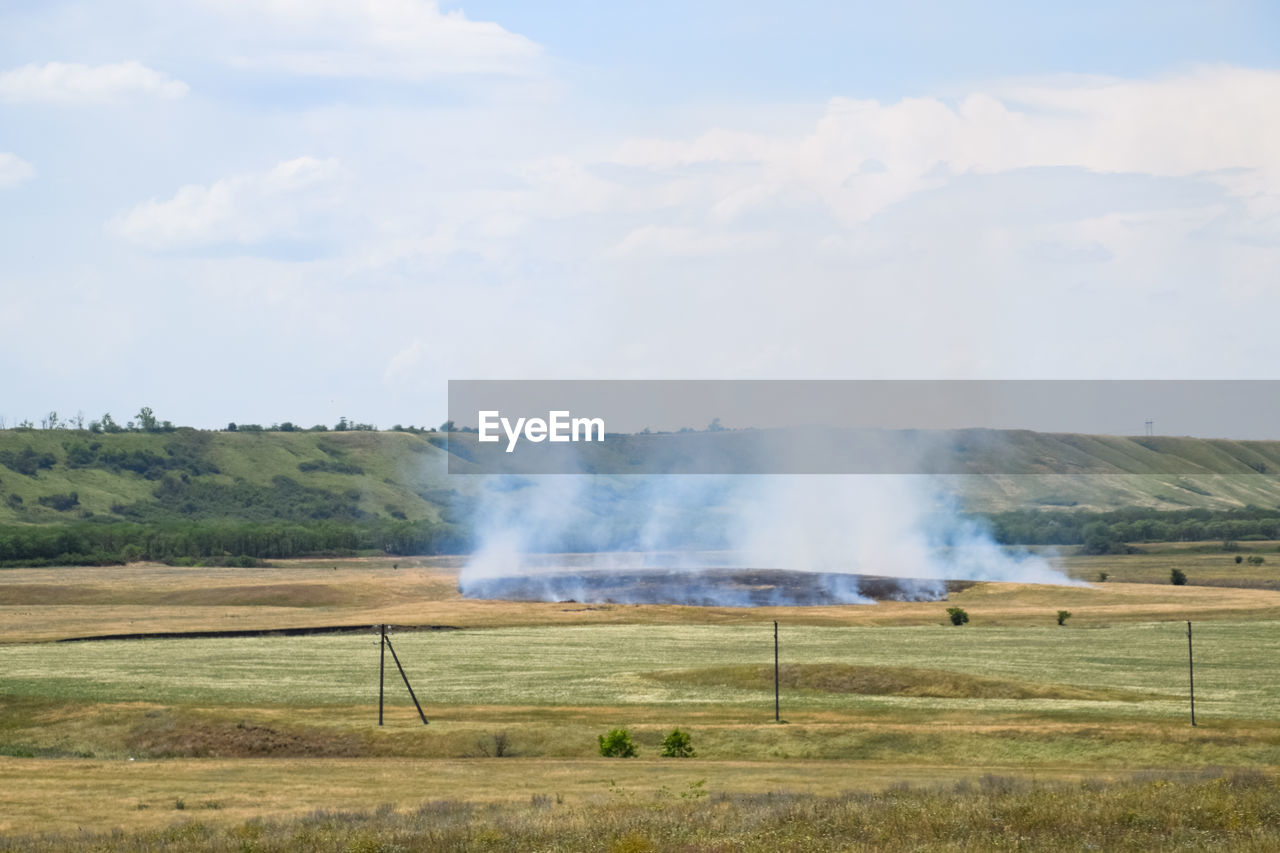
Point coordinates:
[(1208, 121)]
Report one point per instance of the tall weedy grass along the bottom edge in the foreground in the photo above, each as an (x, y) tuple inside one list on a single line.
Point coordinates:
[(1228, 813)]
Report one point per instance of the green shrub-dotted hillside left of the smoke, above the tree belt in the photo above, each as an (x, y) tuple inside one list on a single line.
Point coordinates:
[(200, 476)]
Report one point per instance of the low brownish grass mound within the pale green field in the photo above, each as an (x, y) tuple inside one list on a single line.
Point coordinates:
[(889, 681)]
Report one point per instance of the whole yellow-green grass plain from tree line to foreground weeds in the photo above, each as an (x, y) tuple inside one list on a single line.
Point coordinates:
[(145, 735)]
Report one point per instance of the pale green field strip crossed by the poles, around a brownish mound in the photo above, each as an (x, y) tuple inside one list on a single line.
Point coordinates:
[(625, 665)]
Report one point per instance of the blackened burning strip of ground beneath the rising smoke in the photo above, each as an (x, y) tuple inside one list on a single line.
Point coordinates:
[(723, 587)]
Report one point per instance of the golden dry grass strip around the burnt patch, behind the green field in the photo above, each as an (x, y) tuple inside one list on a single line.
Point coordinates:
[(67, 603)]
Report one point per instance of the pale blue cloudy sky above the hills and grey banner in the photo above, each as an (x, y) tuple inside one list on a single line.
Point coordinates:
[(269, 211)]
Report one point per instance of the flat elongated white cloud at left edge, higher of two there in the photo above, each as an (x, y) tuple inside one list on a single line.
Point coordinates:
[(72, 83)]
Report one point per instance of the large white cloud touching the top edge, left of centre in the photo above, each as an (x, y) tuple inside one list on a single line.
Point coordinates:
[(409, 40)]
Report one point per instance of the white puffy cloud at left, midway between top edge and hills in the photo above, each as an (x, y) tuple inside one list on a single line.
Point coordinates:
[(286, 204)]
